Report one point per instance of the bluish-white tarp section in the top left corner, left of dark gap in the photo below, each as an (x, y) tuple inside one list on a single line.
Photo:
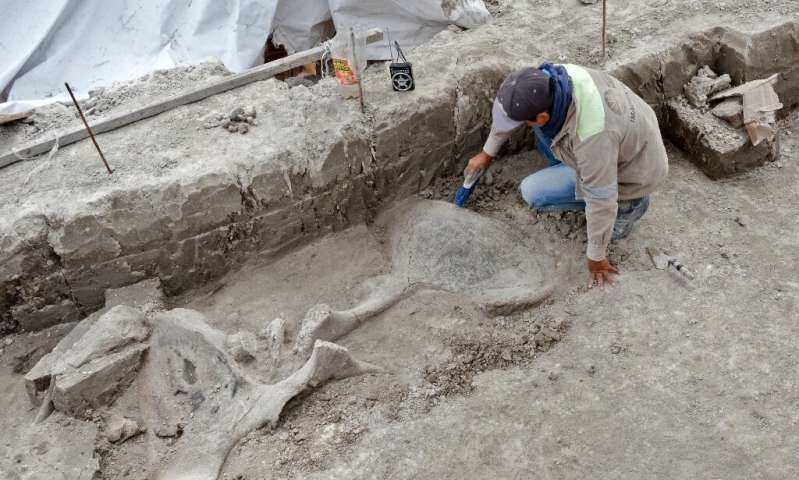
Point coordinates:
[(44, 43)]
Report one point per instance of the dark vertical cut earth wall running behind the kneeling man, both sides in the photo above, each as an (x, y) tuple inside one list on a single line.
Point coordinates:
[(55, 269)]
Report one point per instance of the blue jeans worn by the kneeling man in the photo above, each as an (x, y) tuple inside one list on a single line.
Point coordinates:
[(552, 189)]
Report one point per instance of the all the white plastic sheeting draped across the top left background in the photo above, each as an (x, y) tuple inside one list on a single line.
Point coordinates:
[(96, 42)]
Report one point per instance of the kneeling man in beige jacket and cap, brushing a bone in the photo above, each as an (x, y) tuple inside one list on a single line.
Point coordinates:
[(602, 142)]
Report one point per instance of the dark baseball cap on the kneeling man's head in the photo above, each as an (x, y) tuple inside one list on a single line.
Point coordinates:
[(523, 95)]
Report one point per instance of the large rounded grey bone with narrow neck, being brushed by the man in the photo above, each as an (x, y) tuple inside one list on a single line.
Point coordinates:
[(434, 245)]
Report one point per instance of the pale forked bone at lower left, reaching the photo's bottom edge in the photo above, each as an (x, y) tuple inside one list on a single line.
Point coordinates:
[(197, 392)]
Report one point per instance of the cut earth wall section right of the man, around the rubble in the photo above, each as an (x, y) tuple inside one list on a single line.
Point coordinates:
[(716, 147)]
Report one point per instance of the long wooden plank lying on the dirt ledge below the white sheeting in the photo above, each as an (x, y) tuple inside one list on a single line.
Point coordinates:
[(112, 122)]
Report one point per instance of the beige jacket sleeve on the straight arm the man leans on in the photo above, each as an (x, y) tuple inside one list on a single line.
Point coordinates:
[(597, 171)]
